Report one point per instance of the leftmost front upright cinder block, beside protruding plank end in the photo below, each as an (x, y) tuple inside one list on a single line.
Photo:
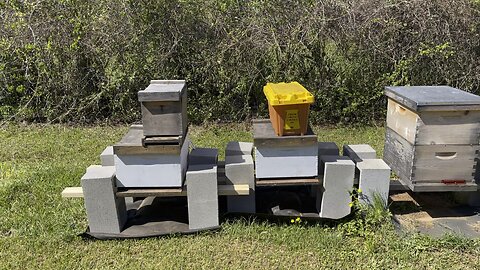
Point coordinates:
[(106, 213)]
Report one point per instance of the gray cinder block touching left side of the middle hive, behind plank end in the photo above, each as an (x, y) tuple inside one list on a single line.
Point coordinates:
[(240, 170)]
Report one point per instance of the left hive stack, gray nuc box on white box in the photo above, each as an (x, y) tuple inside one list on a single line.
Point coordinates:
[(155, 154)]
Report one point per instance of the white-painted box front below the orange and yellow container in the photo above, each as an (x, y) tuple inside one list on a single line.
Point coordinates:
[(279, 162)]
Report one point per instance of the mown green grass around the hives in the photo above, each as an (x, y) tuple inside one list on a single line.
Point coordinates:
[(38, 229)]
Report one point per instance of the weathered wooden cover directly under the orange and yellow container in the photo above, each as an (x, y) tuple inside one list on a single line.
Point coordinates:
[(264, 135)]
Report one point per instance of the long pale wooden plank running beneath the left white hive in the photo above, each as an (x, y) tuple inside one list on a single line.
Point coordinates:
[(223, 190)]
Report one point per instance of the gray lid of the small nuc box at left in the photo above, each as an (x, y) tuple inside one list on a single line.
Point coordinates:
[(163, 90)]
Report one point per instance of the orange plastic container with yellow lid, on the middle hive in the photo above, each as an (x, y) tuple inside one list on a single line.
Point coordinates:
[(288, 106)]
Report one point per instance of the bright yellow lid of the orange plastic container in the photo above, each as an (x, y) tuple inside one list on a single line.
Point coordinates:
[(287, 94)]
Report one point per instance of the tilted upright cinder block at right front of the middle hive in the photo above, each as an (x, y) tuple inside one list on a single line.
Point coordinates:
[(333, 196)]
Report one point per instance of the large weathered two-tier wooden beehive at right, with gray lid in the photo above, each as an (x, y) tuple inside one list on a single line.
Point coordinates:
[(432, 137)]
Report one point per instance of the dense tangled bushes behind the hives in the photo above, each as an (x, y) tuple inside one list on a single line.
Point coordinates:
[(83, 61)]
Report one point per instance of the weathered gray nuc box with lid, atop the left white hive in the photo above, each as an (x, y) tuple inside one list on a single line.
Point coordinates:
[(164, 108)]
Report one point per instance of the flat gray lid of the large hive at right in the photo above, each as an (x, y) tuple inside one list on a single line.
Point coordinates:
[(433, 98)]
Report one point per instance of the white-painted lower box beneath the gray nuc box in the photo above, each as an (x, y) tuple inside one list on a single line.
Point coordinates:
[(152, 170)]
